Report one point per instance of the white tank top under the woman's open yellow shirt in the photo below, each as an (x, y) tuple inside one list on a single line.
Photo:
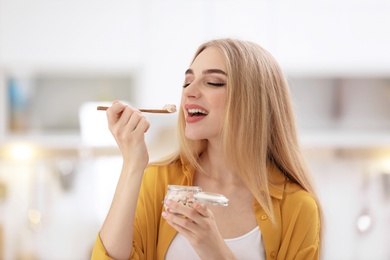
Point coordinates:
[(248, 246)]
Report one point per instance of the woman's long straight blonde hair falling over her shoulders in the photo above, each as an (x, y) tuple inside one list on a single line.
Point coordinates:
[(259, 127)]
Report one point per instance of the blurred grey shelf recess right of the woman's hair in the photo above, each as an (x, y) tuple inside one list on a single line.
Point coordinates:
[(342, 112)]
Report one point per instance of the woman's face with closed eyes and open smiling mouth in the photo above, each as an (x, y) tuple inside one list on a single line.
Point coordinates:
[(204, 95)]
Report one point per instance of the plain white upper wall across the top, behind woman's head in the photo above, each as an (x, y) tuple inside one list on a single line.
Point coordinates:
[(158, 38)]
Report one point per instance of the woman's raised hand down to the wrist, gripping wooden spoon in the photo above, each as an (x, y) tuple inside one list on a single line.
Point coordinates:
[(128, 126)]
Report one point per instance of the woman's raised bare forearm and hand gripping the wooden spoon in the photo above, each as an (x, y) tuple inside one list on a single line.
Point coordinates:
[(128, 126)]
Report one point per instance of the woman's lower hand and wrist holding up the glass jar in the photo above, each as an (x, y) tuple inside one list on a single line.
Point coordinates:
[(197, 224)]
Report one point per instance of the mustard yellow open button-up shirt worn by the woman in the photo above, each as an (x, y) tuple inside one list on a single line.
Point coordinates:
[(296, 237)]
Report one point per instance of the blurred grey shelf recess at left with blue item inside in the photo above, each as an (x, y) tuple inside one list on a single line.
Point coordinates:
[(49, 102)]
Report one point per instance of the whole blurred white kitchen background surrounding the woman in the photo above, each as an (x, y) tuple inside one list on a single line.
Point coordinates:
[(59, 59)]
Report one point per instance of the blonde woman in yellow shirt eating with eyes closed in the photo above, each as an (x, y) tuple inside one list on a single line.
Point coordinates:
[(237, 138)]
